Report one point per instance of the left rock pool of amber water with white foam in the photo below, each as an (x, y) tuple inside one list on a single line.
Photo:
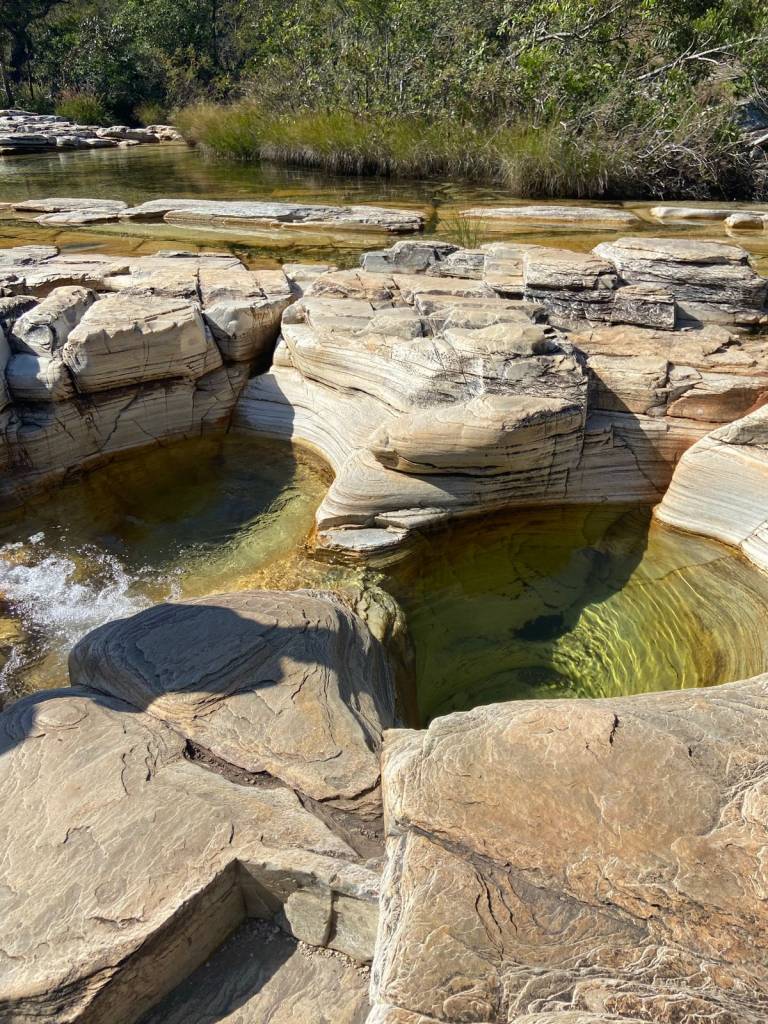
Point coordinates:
[(186, 521)]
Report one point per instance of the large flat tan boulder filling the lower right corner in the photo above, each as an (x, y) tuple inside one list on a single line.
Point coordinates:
[(626, 901)]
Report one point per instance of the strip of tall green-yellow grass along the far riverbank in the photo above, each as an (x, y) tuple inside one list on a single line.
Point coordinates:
[(556, 160)]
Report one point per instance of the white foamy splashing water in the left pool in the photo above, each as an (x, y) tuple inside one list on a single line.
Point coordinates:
[(56, 602)]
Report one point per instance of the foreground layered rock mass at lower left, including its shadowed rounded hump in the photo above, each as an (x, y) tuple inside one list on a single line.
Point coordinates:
[(240, 782)]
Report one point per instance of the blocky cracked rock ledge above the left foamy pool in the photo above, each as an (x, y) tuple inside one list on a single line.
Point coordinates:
[(103, 356)]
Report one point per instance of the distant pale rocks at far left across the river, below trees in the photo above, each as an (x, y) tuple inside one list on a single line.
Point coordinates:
[(23, 132)]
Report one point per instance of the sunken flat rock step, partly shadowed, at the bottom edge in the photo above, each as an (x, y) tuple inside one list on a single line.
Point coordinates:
[(263, 975)]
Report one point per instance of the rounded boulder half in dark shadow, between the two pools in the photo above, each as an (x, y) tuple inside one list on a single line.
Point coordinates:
[(291, 685)]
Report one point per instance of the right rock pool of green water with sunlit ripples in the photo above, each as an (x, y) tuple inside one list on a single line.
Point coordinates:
[(577, 603)]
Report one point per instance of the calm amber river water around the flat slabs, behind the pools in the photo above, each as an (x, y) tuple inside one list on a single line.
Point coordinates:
[(155, 172)]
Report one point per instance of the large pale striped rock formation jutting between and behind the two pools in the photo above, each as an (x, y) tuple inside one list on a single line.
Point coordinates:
[(441, 382)]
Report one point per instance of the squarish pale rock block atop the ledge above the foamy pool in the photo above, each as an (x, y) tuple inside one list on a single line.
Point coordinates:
[(125, 339)]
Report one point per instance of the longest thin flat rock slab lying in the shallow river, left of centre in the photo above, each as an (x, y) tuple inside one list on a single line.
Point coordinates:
[(218, 214)]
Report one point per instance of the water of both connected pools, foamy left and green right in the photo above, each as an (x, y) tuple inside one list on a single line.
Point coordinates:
[(581, 603)]
